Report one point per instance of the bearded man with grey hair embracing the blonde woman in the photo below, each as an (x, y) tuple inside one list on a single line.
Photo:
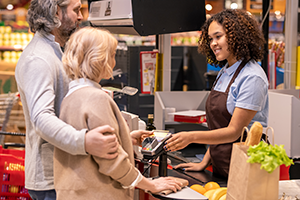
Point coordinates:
[(42, 84)]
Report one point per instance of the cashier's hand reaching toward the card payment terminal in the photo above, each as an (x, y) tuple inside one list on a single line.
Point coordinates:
[(178, 141)]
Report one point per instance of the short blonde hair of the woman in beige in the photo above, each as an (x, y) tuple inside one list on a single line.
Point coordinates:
[(88, 52)]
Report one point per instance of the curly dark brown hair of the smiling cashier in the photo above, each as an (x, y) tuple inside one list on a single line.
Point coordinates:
[(245, 39)]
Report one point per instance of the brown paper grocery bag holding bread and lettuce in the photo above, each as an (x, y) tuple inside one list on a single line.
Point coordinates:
[(247, 181)]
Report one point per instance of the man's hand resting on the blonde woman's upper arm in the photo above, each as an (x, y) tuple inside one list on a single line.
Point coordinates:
[(98, 144)]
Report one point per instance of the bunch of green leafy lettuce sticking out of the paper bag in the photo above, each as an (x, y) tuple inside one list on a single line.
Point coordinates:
[(270, 157)]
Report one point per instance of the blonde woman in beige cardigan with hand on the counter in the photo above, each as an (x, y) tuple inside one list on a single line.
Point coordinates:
[(89, 57)]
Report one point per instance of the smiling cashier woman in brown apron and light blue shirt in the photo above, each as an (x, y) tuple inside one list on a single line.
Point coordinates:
[(233, 40)]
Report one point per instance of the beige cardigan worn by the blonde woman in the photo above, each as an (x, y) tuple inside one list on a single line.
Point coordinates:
[(86, 176)]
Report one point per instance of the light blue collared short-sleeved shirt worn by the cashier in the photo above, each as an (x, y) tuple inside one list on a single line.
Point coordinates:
[(248, 91)]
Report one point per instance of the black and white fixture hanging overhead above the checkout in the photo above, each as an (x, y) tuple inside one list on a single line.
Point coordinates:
[(147, 17)]
